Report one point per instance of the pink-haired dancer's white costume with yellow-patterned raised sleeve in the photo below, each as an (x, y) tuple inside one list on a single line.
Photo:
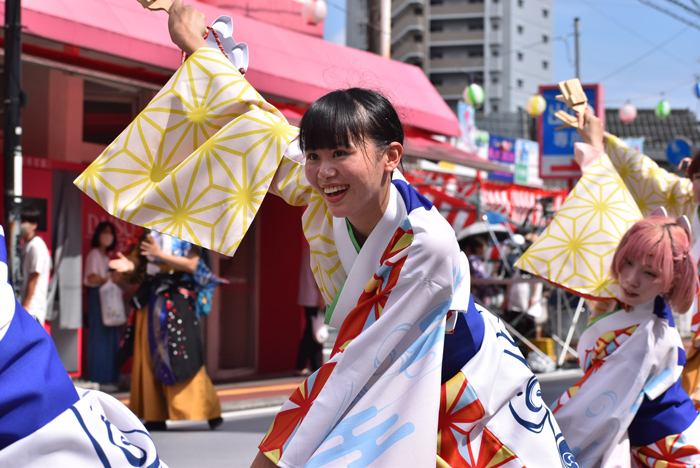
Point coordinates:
[(629, 402)]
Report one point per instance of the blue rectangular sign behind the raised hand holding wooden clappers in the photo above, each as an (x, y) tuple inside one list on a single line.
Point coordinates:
[(557, 146)]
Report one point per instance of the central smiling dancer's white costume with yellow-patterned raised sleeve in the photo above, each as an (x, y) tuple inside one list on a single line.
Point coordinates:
[(197, 163)]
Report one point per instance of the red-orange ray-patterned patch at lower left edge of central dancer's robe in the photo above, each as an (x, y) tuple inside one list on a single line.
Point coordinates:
[(287, 421)]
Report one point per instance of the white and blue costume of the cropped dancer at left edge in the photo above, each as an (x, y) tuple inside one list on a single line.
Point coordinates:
[(44, 420)]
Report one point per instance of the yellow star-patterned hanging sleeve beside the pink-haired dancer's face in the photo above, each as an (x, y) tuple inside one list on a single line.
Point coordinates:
[(577, 248)]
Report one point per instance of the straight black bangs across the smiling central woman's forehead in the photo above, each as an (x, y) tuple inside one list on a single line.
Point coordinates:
[(332, 121)]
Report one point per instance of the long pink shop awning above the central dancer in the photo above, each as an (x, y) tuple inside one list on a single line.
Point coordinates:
[(283, 63)]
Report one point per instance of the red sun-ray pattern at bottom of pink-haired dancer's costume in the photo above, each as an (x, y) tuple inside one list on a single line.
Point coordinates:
[(666, 453)]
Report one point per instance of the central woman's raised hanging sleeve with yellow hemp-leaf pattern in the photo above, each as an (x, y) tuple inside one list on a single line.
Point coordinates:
[(198, 161)]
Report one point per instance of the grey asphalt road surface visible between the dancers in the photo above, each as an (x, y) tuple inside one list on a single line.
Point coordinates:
[(234, 444)]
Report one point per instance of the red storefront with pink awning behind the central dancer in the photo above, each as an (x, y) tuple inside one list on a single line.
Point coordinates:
[(90, 67)]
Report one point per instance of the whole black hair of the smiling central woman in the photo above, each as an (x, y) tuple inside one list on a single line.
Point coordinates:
[(350, 115)]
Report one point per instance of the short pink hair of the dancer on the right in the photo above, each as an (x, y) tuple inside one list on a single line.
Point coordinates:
[(663, 245)]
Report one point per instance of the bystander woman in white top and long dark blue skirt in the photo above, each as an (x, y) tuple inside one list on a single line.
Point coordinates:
[(103, 342)]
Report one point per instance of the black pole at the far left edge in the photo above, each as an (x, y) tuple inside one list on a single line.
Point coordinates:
[(14, 98)]
